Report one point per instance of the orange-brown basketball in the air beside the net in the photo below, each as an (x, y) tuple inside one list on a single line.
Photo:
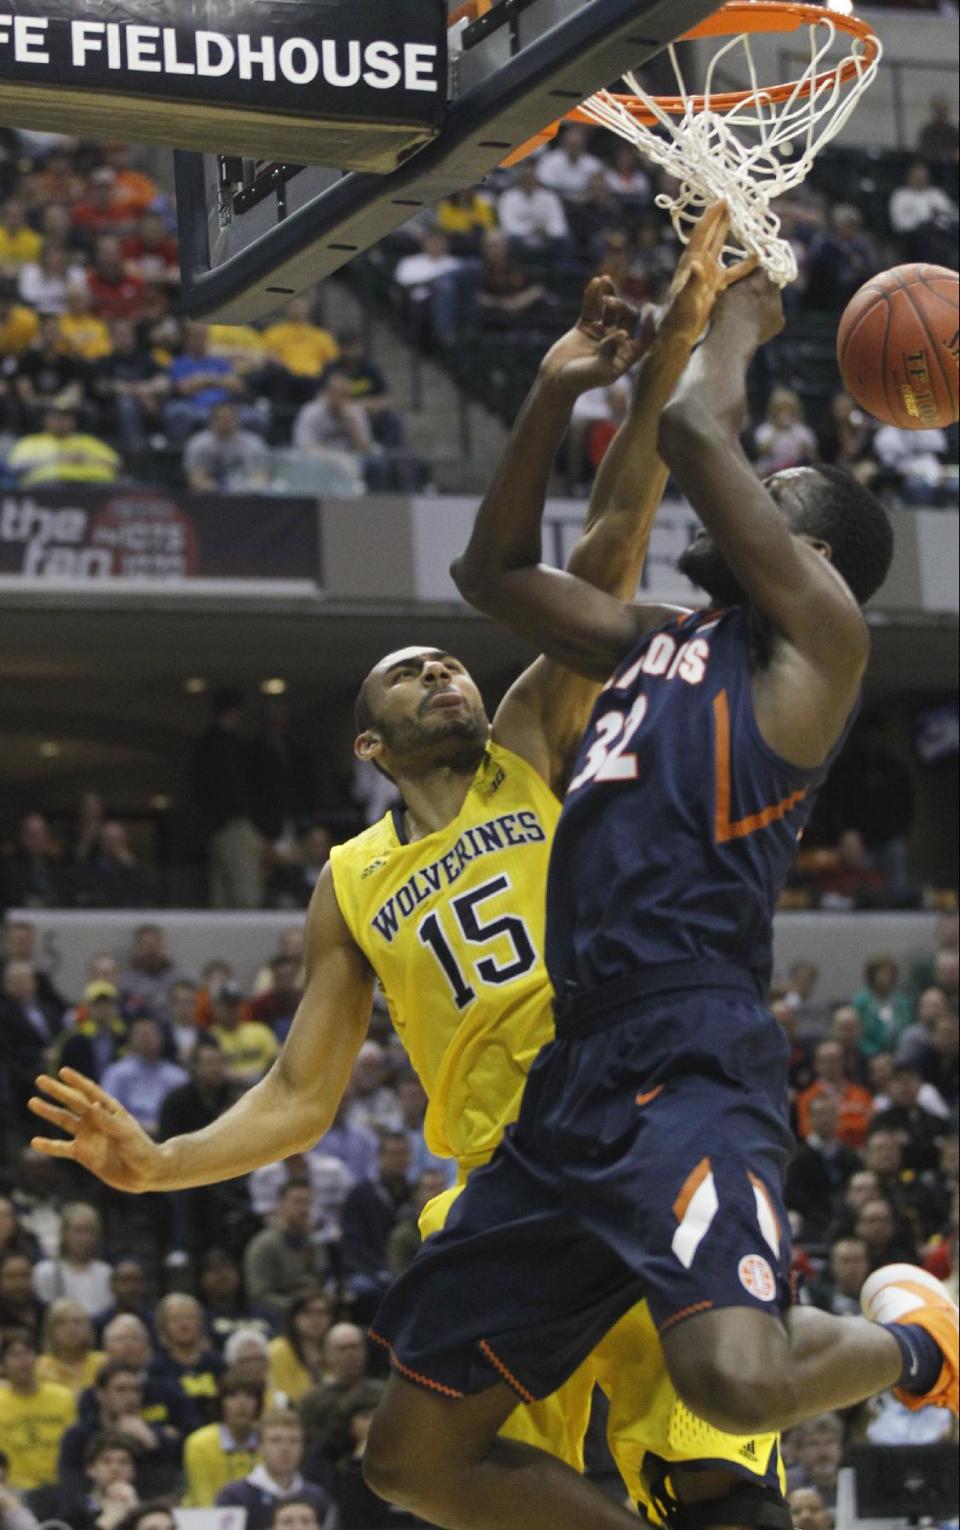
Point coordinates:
[(898, 347)]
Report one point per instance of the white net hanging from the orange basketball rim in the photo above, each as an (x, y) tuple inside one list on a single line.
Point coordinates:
[(753, 152)]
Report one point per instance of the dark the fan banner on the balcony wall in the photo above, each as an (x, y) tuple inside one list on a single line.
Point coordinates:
[(129, 533)]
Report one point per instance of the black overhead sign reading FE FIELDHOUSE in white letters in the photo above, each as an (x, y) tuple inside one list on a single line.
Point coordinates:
[(299, 80)]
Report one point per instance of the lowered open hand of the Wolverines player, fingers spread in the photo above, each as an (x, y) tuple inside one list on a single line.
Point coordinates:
[(103, 1136)]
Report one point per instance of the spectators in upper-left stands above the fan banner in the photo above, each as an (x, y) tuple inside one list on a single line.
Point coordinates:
[(100, 382)]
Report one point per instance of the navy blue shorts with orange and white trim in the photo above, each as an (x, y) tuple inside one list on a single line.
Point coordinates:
[(647, 1162)]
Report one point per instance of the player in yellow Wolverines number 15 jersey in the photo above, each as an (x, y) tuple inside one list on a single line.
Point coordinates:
[(443, 902)]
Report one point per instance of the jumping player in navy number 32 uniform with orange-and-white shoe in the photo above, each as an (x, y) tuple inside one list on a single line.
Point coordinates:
[(651, 1145)]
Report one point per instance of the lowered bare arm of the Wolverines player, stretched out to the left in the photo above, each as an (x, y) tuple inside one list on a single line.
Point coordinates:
[(286, 1113)]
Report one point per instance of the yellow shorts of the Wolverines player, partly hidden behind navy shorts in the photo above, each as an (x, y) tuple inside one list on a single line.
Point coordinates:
[(647, 1418)]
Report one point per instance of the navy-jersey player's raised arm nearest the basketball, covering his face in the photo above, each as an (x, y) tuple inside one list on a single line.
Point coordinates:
[(809, 689)]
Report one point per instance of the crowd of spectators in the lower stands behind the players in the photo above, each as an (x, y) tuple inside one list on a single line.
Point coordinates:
[(209, 1347)]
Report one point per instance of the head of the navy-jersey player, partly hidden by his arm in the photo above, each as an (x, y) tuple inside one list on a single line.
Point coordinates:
[(828, 509)]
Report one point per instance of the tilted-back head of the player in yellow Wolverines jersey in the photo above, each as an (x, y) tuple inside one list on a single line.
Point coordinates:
[(419, 709)]
